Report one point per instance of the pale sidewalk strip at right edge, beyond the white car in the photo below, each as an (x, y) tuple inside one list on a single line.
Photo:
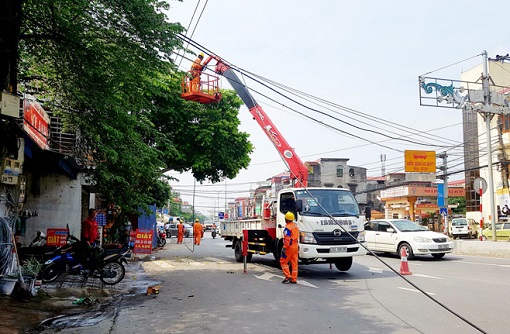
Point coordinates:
[(482, 248)]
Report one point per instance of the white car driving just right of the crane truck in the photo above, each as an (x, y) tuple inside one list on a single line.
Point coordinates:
[(393, 235)]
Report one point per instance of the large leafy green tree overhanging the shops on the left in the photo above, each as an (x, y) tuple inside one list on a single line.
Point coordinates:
[(104, 66)]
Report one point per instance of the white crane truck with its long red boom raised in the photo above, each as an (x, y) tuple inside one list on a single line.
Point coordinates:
[(331, 229)]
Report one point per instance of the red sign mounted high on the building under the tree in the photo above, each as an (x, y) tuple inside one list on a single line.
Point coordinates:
[(36, 123)]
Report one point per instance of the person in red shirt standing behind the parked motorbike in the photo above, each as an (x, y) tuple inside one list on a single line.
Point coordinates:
[(89, 257)]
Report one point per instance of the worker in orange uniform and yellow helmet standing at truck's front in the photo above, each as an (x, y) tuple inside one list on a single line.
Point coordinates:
[(290, 249)]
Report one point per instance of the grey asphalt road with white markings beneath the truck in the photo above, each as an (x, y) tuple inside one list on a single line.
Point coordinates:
[(204, 290)]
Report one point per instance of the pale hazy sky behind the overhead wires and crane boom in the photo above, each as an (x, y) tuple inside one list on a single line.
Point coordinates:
[(360, 59)]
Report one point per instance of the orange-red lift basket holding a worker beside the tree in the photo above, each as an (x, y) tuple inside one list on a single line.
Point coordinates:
[(207, 92)]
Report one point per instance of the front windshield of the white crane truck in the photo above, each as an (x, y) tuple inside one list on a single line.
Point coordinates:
[(334, 202)]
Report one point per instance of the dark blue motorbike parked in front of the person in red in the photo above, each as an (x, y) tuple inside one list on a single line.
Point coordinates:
[(109, 269)]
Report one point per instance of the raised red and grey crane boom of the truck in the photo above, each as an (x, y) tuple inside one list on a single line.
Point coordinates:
[(298, 170)]
